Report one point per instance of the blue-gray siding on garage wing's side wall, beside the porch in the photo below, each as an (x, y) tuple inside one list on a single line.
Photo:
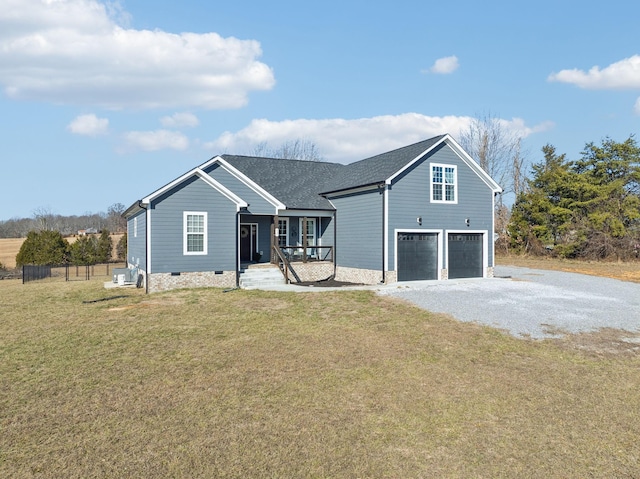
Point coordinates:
[(359, 230)]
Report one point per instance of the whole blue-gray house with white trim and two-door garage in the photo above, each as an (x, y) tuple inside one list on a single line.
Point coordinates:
[(424, 211)]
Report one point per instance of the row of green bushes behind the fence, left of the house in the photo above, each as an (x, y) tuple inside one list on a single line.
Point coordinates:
[(49, 247)]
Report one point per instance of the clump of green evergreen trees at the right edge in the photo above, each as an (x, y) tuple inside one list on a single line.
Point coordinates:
[(588, 208)]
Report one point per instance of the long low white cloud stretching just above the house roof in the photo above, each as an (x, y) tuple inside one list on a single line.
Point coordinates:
[(346, 141)]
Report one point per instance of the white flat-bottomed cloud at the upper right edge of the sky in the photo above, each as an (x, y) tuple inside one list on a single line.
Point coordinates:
[(624, 74)]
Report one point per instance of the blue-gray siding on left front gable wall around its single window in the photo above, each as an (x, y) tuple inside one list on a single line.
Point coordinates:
[(167, 216)]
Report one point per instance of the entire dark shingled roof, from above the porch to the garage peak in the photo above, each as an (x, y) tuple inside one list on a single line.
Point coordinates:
[(298, 184)]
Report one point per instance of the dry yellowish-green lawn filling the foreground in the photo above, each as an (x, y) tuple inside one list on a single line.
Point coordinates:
[(201, 383)]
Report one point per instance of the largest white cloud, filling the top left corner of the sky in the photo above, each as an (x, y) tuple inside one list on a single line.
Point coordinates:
[(76, 52)]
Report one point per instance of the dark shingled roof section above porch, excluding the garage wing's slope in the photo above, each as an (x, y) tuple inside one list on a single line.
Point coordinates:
[(295, 183)]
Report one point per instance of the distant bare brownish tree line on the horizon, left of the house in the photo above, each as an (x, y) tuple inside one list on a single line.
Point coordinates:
[(44, 219)]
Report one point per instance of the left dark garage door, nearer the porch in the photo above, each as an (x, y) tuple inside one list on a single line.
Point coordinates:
[(417, 256)]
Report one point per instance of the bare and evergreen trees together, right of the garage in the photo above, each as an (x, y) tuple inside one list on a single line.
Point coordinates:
[(587, 207)]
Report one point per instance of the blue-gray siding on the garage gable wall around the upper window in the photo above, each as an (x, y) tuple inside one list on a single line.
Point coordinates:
[(409, 198)]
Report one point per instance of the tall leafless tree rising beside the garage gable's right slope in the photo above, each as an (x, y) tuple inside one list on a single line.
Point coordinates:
[(498, 150)]
